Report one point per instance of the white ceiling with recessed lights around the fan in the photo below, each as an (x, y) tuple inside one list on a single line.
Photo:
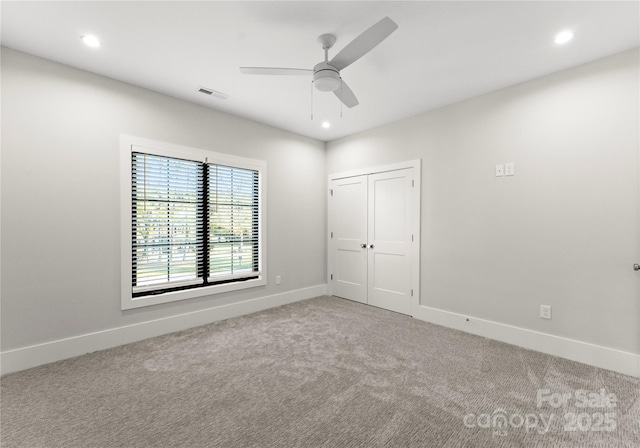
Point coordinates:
[(442, 52)]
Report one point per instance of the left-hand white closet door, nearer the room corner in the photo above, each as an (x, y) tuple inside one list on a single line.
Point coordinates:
[(349, 232)]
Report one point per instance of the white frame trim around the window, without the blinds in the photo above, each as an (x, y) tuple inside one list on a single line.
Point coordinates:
[(128, 144)]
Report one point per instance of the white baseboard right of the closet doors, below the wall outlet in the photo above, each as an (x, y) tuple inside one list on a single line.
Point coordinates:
[(586, 353)]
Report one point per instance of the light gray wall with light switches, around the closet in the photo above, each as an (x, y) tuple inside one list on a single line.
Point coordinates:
[(563, 231)]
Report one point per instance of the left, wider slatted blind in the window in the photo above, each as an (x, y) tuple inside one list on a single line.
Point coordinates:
[(167, 222)]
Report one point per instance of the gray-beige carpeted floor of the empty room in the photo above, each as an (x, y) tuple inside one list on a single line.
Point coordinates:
[(324, 372)]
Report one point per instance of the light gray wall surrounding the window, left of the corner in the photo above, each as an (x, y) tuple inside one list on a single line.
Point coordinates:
[(60, 197)]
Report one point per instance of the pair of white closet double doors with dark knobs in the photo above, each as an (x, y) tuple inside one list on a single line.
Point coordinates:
[(371, 233)]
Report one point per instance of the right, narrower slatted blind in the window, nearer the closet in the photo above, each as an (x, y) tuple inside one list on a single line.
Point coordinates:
[(233, 223)]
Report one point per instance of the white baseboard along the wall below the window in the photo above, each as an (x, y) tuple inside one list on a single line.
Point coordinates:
[(36, 355)]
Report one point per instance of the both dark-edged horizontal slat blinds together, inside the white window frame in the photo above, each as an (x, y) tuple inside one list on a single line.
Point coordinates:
[(193, 224)]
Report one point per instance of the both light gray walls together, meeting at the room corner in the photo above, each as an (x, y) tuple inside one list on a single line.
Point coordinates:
[(563, 231)]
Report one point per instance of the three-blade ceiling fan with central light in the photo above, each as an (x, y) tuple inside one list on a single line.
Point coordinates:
[(326, 75)]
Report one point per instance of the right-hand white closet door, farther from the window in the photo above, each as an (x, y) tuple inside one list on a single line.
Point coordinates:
[(390, 239)]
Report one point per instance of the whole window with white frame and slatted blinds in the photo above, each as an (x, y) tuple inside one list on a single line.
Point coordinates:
[(194, 223)]
